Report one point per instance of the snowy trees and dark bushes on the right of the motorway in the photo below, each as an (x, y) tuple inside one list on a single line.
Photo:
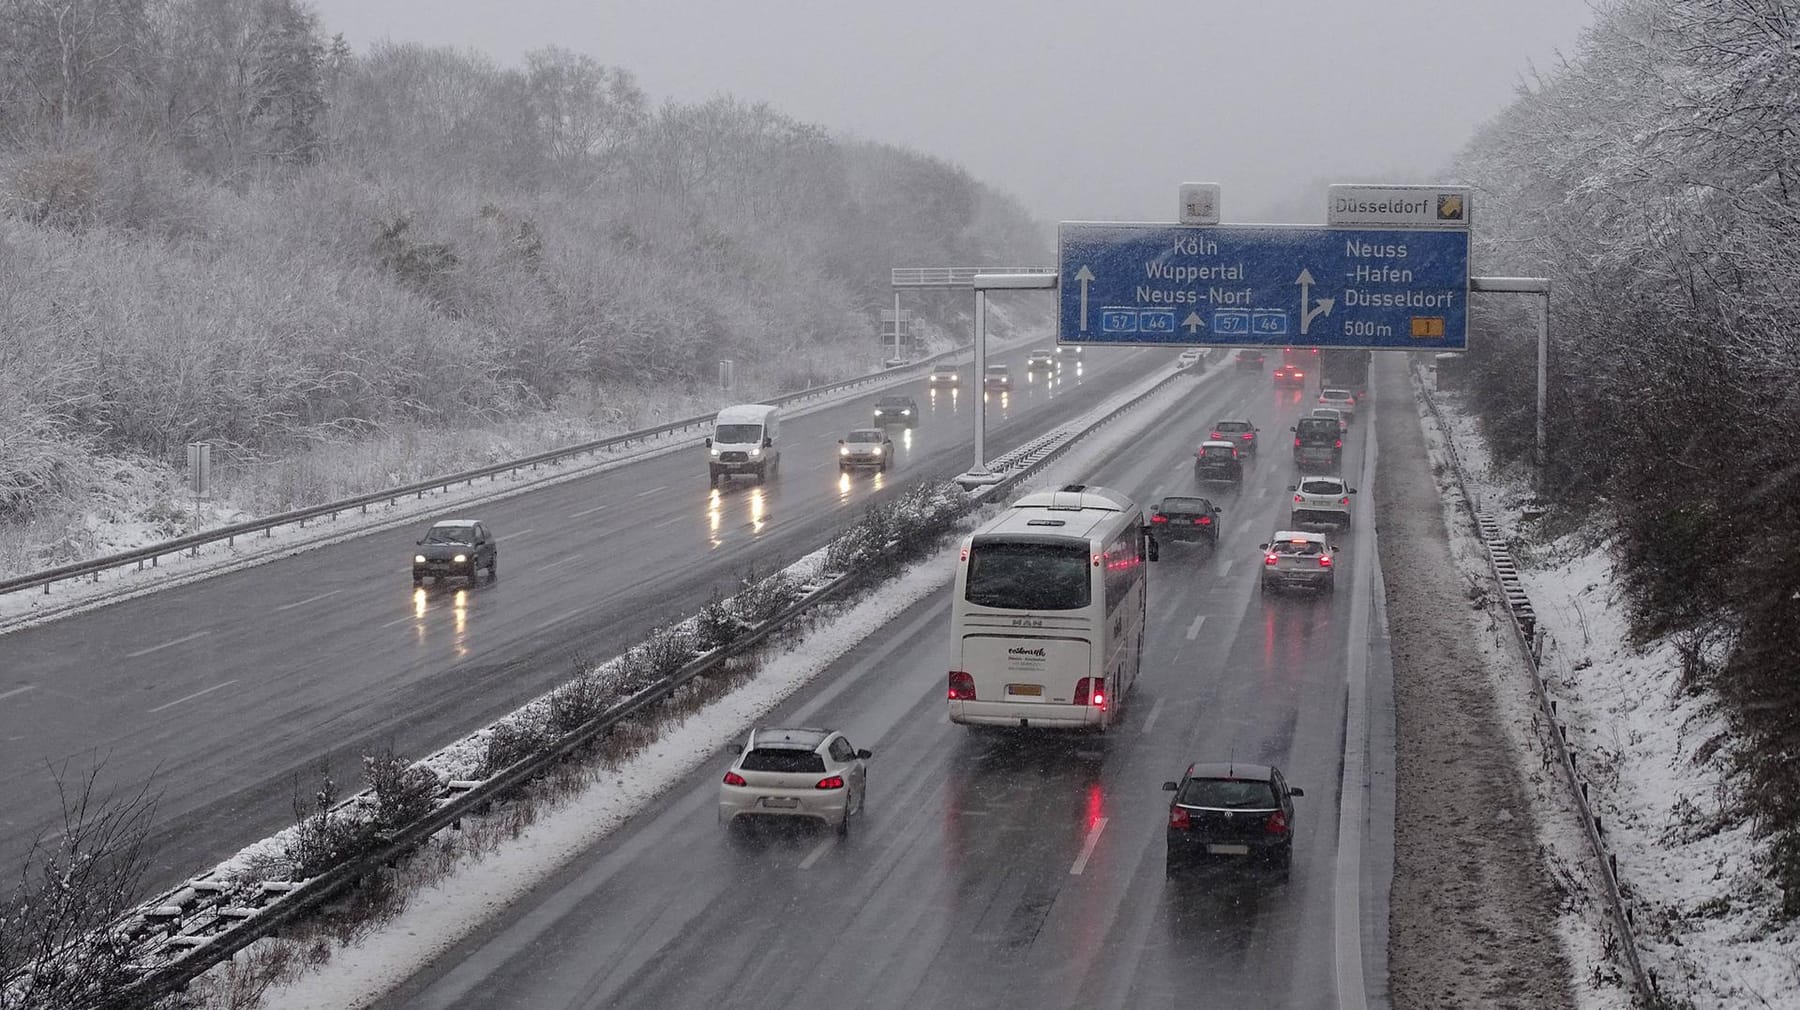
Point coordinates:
[(1655, 179)]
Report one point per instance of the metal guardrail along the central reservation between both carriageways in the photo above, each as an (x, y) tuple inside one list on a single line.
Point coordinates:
[(202, 923)]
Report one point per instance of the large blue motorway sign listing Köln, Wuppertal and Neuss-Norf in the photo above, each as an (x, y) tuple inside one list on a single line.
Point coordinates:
[(1263, 285)]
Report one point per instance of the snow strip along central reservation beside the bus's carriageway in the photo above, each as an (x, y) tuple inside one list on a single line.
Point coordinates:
[(453, 906)]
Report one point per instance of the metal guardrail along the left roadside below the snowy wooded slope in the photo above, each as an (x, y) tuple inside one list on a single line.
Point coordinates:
[(330, 510)]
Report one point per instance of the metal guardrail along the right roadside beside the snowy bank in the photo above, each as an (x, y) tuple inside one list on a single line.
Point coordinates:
[(1531, 640)]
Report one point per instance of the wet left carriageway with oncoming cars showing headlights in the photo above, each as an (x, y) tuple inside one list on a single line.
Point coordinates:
[(233, 694)]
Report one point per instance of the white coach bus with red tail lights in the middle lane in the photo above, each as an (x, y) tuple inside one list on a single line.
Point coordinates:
[(1050, 609)]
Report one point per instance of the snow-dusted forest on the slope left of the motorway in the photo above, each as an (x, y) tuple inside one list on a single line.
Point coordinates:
[(219, 222)]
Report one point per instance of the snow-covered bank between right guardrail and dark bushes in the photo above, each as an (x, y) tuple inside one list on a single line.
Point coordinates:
[(1702, 899)]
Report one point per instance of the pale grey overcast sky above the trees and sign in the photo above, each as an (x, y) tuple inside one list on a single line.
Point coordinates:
[(1083, 109)]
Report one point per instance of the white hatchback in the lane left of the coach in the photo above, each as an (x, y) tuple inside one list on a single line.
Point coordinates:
[(787, 773)]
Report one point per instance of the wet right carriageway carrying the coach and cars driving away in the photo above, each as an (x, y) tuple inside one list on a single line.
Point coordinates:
[(1002, 870)]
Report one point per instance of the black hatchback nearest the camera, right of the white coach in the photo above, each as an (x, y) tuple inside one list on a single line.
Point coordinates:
[(1232, 815)]
